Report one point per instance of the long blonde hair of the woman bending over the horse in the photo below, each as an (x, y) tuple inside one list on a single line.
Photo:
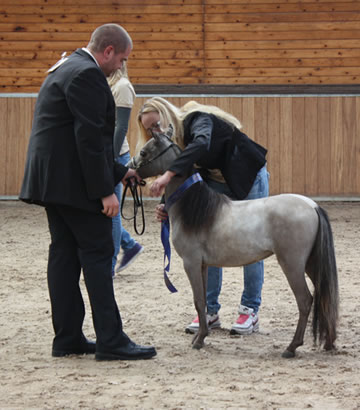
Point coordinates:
[(174, 116)]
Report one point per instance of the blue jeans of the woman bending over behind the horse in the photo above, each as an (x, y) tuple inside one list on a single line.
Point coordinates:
[(254, 273)]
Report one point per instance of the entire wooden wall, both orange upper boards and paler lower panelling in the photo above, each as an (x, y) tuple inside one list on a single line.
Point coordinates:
[(198, 45)]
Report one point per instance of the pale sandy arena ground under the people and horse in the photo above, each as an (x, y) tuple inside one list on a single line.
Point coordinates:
[(229, 373)]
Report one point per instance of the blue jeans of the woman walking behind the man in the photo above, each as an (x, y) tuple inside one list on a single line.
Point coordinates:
[(121, 237)]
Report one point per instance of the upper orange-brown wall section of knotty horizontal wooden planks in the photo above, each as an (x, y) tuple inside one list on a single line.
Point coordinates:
[(190, 41)]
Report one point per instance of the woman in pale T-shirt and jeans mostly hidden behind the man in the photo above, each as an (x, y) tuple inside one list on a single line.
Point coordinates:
[(124, 96)]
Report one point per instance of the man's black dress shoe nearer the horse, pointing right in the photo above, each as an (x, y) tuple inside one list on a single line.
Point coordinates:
[(131, 351)]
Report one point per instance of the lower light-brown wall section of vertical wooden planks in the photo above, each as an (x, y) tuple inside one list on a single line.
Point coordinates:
[(313, 142)]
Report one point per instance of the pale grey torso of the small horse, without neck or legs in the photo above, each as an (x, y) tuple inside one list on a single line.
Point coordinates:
[(250, 230)]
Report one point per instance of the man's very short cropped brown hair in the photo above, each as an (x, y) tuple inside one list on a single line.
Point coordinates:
[(110, 35)]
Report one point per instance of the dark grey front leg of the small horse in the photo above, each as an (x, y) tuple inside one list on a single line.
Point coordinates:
[(197, 275)]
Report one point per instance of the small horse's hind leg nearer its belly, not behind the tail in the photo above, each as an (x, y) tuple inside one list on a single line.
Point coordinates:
[(297, 282)]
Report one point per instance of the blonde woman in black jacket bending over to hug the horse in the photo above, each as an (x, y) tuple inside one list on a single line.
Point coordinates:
[(231, 164)]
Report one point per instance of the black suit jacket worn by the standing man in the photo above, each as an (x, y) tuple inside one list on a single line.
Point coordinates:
[(70, 158)]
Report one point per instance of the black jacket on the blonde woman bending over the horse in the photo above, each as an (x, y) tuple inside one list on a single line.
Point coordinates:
[(212, 143)]
